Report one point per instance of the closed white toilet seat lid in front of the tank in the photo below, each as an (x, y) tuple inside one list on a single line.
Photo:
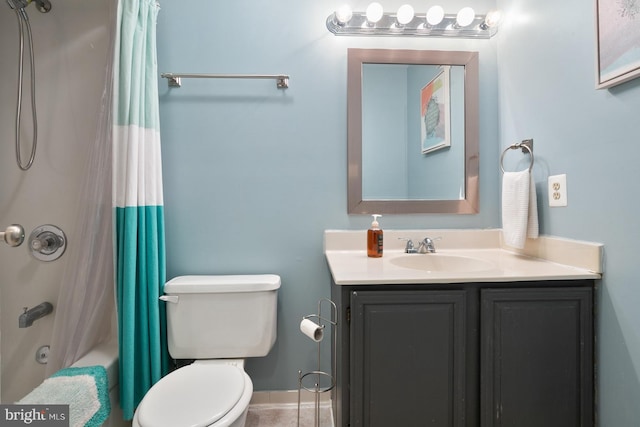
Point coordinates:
[(196, 395)]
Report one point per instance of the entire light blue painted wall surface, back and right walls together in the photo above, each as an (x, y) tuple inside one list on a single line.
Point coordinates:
[(253, 175)]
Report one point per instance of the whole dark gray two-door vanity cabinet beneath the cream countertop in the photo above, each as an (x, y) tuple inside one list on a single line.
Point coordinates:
[(474, 355)]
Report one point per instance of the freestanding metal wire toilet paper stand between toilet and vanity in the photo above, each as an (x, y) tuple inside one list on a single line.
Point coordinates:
[(322, 381)]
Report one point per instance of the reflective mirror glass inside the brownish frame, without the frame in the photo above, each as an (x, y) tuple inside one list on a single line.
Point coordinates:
[(413, 130)]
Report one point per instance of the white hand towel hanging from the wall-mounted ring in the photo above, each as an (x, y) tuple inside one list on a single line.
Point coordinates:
[(519, 208)]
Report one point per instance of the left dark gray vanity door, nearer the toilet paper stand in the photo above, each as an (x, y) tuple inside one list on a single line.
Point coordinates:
[(408, 359)]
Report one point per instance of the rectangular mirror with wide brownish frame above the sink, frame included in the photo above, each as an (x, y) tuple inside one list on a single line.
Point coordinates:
[(412, 131)]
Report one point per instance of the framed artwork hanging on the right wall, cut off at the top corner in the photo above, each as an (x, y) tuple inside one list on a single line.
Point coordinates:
[(617, 41)]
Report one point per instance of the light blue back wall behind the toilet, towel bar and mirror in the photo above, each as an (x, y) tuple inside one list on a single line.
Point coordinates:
[(253, 175)]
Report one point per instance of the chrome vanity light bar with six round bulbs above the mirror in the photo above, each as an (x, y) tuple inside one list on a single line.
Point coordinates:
[(407, 22)]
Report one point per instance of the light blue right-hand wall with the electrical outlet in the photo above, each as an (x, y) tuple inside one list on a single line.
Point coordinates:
[(546, 57)]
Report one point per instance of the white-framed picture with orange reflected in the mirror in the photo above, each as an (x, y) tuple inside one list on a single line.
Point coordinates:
[(435, 113)]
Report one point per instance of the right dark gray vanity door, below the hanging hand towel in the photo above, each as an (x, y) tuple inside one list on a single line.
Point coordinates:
[(537, 357)]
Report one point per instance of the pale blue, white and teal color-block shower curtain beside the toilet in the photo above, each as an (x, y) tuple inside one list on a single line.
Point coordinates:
[(138, 202)]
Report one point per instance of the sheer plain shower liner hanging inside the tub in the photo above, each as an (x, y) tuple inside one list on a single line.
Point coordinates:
[(85, 306)]
